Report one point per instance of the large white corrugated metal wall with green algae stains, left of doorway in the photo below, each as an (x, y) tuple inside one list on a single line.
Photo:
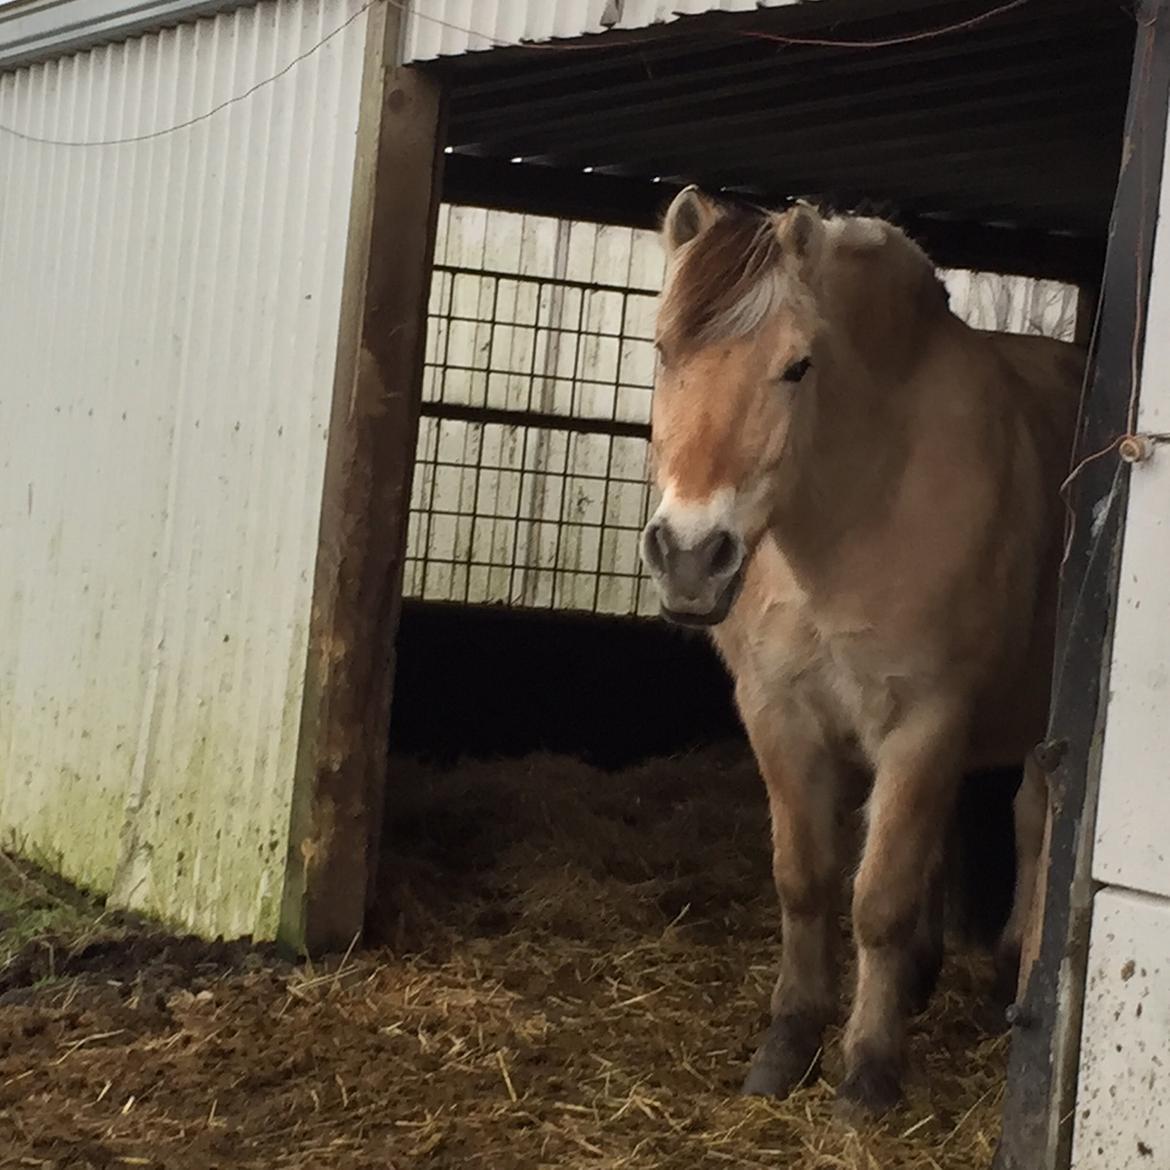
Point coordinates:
[(169, 315)]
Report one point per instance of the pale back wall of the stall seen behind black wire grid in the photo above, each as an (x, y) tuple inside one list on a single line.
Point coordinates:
[(536, 515)]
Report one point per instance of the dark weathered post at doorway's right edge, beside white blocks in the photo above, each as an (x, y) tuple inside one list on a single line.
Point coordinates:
[(1043, 1068)]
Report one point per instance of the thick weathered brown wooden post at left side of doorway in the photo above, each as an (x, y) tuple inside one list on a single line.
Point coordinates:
[(374, 430)]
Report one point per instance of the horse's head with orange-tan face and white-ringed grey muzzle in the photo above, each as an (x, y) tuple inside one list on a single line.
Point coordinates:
[(738, 338)]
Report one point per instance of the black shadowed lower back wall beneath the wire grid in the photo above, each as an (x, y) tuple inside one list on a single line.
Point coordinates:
[(490, 683)]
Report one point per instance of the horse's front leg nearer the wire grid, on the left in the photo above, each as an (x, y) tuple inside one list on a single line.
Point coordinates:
[(803, 793)]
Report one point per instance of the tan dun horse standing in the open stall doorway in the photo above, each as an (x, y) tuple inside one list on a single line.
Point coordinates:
[(861, 499)]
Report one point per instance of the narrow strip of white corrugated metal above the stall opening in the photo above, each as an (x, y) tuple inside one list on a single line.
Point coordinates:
[(443, 29)]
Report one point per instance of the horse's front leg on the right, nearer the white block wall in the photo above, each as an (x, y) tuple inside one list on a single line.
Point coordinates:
[(917, 776)]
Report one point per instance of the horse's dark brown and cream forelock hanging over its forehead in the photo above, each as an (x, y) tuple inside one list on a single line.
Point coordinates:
[(725, 284)]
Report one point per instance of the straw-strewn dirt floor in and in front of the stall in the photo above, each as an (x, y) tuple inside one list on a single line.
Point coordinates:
[(575, 968)]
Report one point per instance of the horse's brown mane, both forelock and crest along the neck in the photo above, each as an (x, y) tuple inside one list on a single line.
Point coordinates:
[(727, 280)]
